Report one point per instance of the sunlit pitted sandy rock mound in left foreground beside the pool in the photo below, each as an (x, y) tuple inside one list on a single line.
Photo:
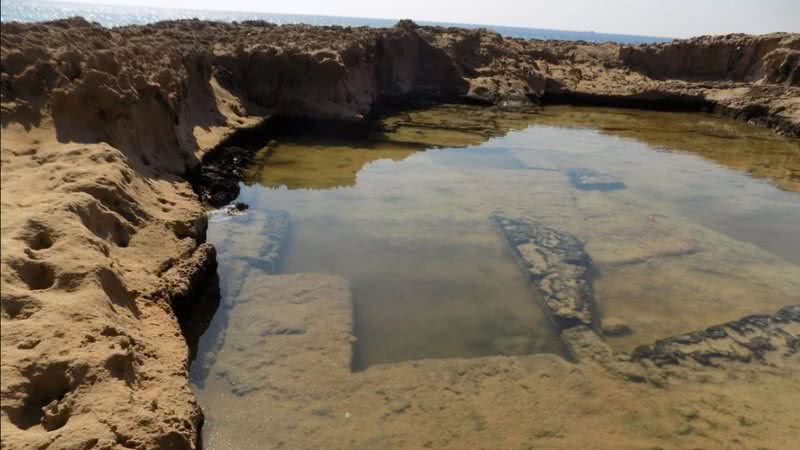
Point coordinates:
[(90, 247)]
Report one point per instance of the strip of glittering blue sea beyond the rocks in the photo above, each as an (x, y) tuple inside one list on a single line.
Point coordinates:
[(117, 15)]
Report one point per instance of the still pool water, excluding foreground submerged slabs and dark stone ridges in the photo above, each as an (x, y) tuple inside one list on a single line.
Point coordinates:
[(689, 220)]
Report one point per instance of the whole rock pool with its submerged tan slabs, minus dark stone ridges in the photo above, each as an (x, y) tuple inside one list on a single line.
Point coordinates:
[(418, 292)]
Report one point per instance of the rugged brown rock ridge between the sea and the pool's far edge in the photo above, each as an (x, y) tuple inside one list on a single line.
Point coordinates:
[(115, 84)]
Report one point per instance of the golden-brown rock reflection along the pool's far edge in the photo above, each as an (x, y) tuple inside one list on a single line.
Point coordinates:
[(298, 163)]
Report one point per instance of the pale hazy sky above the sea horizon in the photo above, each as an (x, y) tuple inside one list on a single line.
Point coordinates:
[(672, 18)]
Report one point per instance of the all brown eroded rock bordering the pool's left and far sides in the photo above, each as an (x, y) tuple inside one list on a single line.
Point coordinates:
[(103, 237)]
